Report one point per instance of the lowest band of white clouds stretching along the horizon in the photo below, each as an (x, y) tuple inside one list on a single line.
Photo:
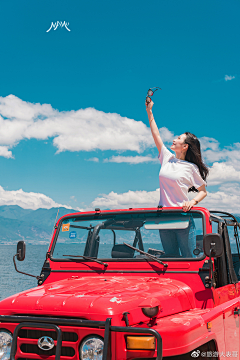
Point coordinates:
[(227, 198)]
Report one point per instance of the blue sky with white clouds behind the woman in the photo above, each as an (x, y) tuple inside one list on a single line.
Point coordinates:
[(114, 52)]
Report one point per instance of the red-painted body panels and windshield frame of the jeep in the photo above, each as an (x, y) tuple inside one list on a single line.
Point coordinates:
[(190, 316)]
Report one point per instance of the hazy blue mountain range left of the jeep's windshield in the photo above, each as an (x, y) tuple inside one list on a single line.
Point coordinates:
[(32, 226)]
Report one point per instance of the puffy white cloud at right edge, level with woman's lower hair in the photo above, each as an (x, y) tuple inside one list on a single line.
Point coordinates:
[(222, 173)]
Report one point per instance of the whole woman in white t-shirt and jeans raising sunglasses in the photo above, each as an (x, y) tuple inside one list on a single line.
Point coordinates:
[(179, 174)]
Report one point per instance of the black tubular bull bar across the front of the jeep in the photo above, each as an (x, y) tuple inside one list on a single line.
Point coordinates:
[(52, 323)]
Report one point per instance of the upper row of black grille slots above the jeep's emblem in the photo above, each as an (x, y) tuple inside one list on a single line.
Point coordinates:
[(36, 334)]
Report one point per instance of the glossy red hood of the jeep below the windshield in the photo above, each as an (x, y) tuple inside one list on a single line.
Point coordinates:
[(99, 297)]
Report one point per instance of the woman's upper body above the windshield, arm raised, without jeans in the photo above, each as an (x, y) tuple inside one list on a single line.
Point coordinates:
[(180, 172)]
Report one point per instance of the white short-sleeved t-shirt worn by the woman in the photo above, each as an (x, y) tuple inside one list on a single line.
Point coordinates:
[(175, 178)]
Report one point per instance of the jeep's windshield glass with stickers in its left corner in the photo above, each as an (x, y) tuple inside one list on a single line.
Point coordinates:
[(163, 234)]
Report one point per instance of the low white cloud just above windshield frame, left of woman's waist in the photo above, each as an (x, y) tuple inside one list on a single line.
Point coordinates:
[(134, 199)]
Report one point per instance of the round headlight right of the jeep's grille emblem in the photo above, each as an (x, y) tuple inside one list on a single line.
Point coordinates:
[(91, 348)]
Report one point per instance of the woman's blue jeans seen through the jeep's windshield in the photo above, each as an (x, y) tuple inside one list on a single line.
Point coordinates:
[(175, 241)]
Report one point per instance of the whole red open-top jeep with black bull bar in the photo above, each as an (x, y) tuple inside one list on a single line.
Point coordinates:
[(130, 284)]
